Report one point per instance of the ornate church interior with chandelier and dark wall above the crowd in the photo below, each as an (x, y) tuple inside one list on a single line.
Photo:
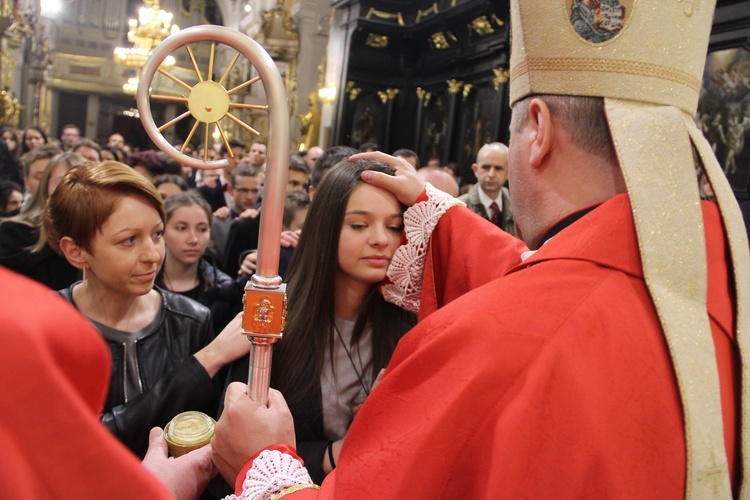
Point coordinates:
[(428, 75)]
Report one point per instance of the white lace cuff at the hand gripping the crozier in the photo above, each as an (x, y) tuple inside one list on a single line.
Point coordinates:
[(272, 473)]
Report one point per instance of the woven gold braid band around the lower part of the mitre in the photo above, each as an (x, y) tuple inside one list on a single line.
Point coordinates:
[(590, 64)]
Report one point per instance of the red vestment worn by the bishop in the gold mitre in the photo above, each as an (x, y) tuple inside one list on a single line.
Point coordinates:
[(553, 381)]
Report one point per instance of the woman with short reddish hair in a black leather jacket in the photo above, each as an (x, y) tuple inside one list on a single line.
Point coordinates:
[(108, 221)]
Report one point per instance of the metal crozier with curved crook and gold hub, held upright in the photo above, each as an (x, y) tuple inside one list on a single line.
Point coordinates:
[(265, 298)]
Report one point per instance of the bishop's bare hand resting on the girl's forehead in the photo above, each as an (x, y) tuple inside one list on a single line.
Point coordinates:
[(406, 185)]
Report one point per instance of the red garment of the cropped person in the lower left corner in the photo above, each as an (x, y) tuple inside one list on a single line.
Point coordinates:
[(55, 372)]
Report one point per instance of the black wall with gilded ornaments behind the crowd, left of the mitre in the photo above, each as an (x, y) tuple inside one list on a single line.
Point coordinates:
[(402, 98)]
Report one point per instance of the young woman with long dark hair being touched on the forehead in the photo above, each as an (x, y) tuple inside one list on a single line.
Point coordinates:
[(340, 332)]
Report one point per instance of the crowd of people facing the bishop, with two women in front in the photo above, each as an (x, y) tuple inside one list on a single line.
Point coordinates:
[(155, 257)]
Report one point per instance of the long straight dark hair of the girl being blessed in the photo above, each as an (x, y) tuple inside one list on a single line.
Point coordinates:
[(311, 291)]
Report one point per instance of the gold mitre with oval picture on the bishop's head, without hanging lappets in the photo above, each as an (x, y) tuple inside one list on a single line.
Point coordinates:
[(646, 51)]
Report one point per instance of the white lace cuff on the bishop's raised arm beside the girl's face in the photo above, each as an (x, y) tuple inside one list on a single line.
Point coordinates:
[(407, 265)]
